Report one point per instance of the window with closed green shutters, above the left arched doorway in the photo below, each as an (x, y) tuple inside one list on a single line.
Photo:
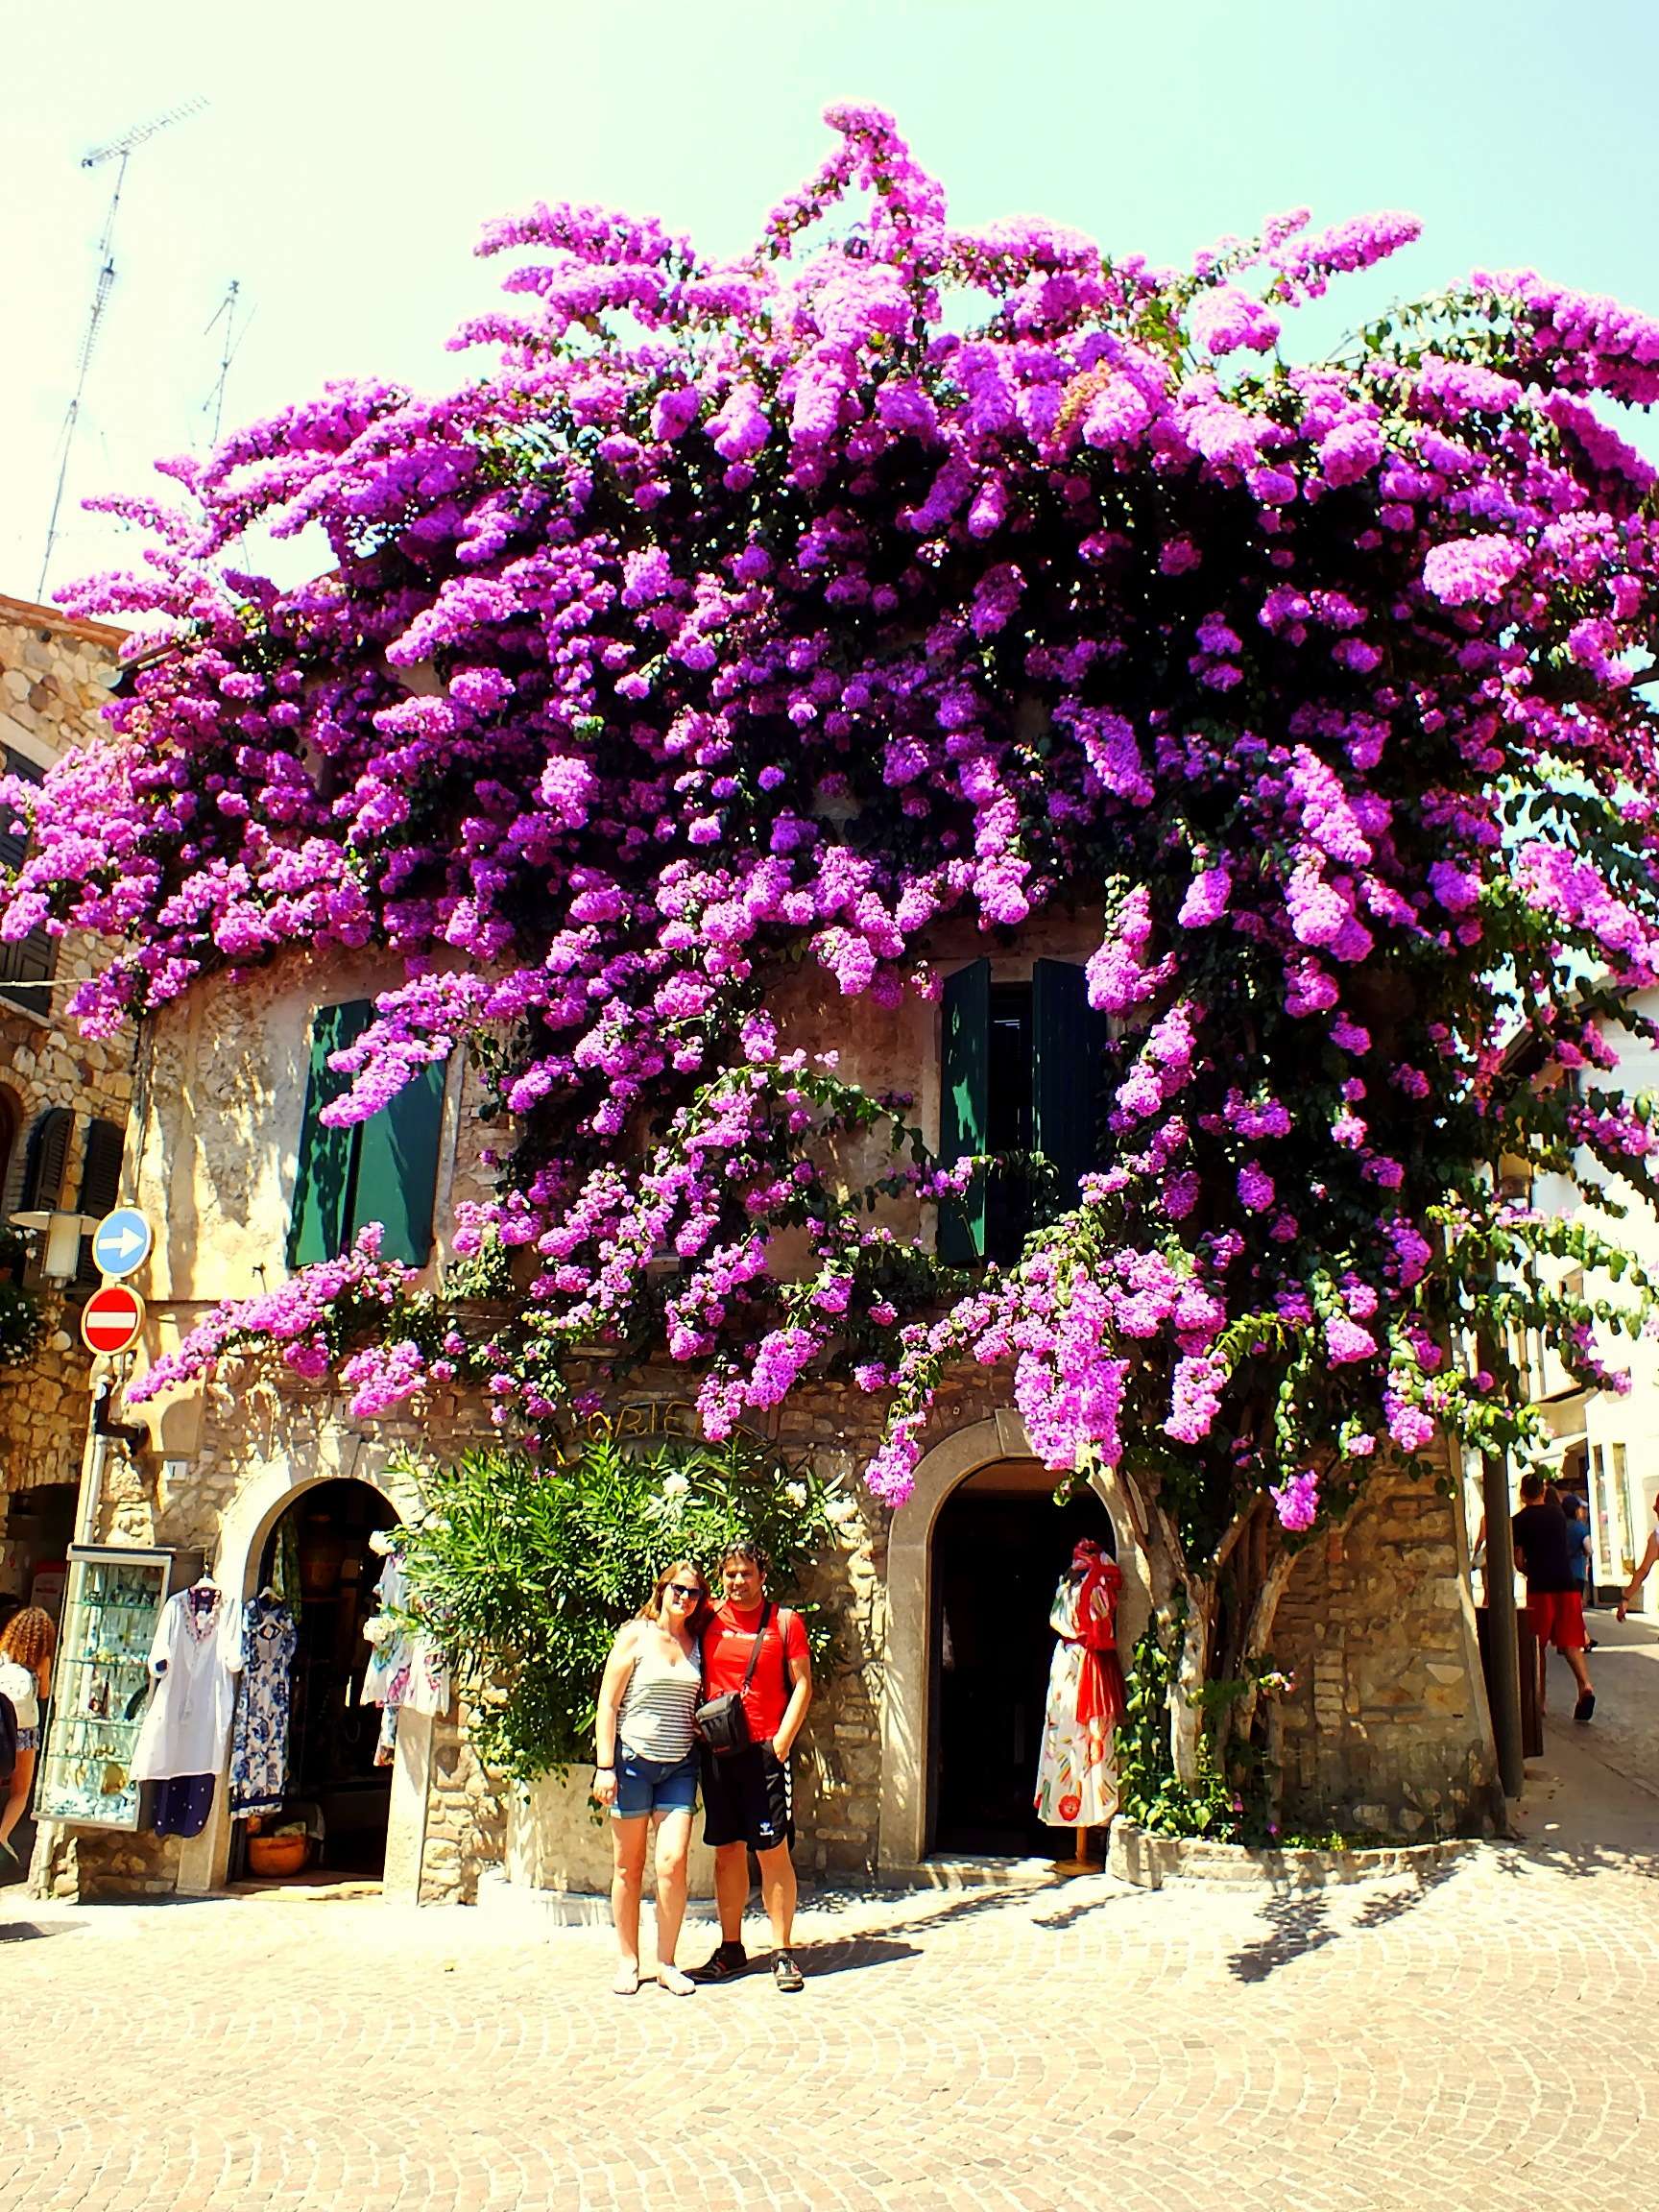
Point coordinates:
[(377, 1171)]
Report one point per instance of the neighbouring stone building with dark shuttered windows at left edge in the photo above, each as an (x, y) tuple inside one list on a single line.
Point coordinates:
[(63, 1100)]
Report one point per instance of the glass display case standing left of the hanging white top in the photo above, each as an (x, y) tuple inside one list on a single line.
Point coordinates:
[(101, 1682)]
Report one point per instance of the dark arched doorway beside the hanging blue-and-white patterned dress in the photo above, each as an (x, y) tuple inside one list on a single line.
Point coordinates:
[(317, 1556)]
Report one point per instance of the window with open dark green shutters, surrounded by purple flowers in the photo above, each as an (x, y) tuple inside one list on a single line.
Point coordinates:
[(1021, 1076)]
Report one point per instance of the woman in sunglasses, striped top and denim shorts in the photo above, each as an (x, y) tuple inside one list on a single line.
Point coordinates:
[(647, 1768)]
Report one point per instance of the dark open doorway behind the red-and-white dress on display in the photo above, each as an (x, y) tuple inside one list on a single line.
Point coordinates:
[(999, 1552)]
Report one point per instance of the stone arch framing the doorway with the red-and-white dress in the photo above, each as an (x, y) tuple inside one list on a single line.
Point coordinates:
[(910, 1598)]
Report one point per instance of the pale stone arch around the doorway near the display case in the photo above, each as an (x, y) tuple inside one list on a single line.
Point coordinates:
[(249, 1521)]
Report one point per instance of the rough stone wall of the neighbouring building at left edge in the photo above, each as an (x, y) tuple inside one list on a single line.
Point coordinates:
[(54, 680)]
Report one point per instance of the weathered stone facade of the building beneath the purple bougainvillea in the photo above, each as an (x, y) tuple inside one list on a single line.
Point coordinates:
[(1388, 1720)]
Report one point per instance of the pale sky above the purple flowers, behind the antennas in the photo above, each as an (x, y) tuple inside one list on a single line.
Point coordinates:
[(351, 154)]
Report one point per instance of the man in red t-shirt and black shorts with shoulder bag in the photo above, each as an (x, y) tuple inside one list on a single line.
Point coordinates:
[(747, 1795)]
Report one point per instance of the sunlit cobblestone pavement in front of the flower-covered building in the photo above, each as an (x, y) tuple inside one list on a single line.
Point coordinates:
[(1479, 2038)]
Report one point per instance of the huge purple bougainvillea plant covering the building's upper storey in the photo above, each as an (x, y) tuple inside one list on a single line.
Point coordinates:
[(897, 576)]
